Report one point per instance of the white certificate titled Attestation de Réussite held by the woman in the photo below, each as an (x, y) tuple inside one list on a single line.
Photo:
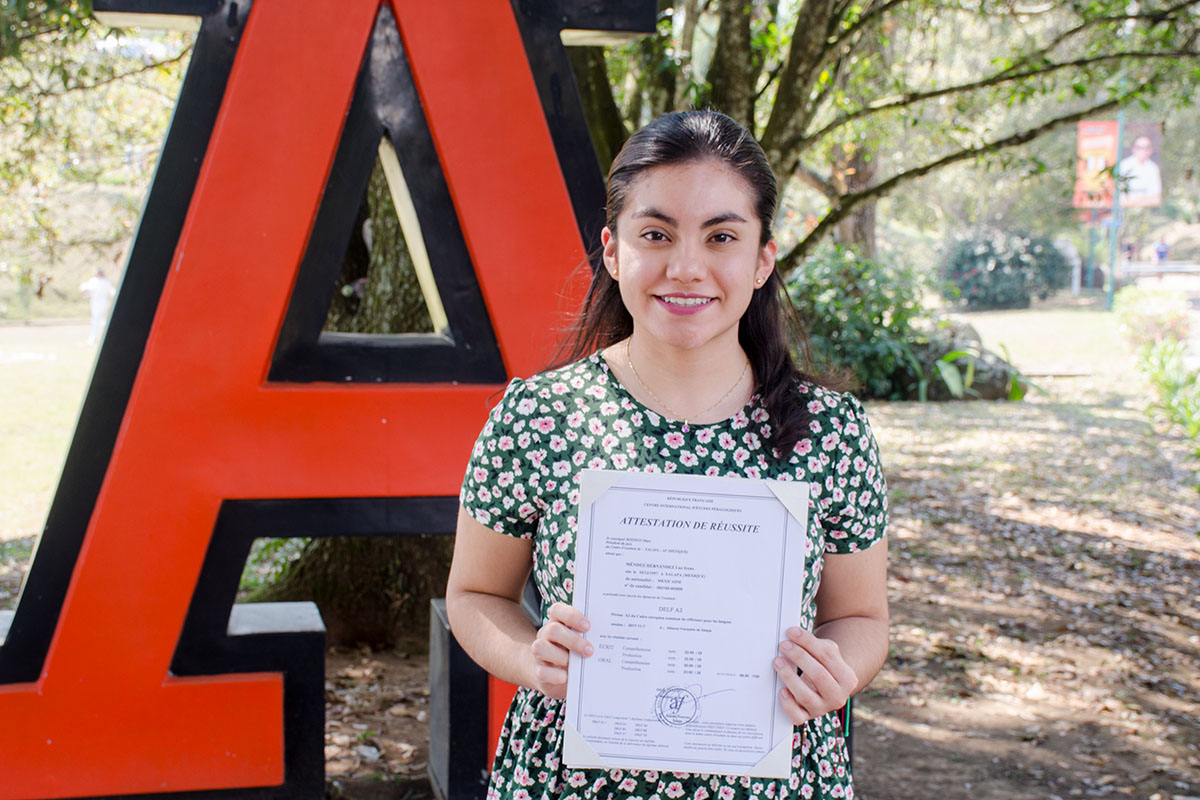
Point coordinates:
[(691, 584)]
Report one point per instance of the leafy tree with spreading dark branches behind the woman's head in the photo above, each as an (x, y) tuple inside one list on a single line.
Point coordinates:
[(855, 100)]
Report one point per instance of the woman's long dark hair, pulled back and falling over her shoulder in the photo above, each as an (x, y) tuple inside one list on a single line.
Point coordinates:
[(770, 332)]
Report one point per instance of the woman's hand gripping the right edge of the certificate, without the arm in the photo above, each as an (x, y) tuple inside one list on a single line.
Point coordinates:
[(825, 682)]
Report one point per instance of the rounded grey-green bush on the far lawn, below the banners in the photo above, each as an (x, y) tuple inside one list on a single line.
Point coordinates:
[(995, 269)]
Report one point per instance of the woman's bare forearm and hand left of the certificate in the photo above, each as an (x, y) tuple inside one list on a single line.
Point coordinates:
[(488, 576)]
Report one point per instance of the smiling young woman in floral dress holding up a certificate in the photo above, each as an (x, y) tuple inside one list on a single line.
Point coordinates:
[(681, 363)]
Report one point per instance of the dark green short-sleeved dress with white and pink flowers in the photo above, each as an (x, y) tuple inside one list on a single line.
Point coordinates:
[(524, 482)]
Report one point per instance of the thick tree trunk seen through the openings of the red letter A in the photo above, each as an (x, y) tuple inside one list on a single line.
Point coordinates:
[(373, 591)]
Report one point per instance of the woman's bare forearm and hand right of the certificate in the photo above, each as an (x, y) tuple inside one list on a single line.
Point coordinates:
[(850, 641)]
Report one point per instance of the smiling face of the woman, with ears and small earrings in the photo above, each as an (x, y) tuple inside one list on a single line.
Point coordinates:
[(687, 255)]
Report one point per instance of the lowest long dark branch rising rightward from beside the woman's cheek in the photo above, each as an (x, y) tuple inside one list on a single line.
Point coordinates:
[(845, 204)]
